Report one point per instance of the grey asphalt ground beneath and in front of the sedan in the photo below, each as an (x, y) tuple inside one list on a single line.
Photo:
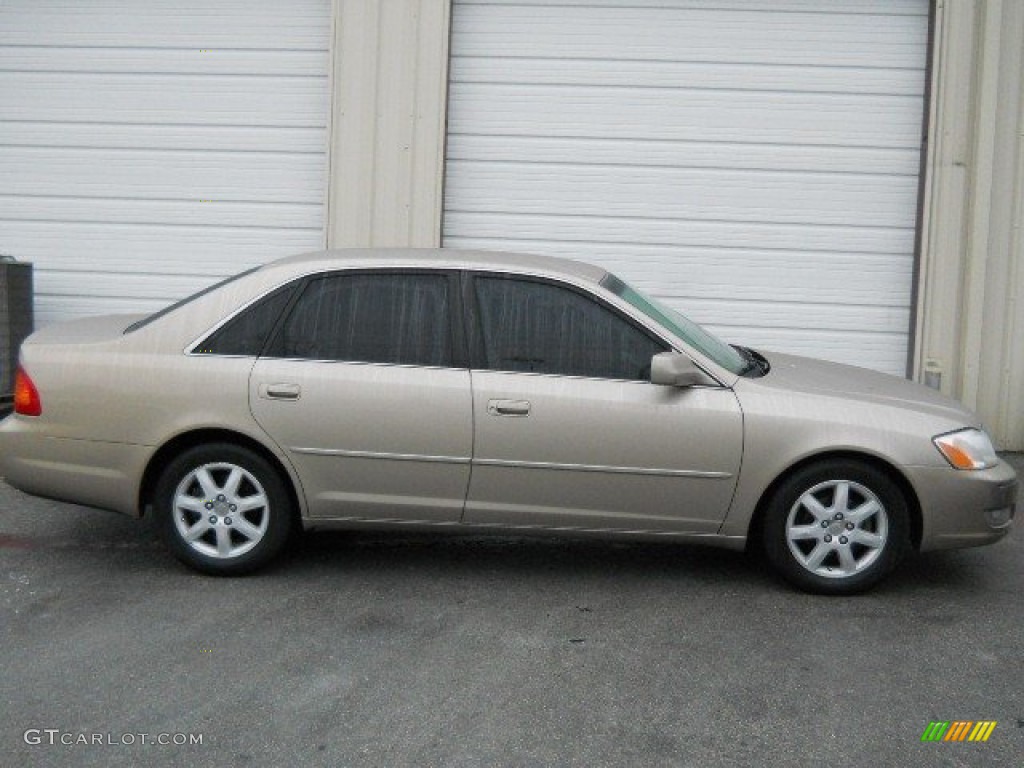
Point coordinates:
[(386, 651)]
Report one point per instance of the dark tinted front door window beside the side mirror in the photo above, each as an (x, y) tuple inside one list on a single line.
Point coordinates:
[(542, 328)]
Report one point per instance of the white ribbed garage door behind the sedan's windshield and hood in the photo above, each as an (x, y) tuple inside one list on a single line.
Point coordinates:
[(754, 163)]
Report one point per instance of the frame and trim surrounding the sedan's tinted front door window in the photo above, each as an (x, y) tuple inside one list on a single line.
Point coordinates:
[(475, 321)]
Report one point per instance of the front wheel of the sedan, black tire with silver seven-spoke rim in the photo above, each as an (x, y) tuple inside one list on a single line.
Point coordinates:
[(836, 528)]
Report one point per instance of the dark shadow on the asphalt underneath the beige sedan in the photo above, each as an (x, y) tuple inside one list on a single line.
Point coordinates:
[(92, 536)]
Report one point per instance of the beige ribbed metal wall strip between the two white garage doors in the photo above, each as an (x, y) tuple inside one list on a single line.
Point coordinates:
[(388, 144)]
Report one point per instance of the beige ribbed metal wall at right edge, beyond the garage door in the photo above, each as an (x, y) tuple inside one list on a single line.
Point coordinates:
[(971, 314)]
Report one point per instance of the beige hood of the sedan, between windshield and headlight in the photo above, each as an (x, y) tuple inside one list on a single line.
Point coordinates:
[(795, 374)]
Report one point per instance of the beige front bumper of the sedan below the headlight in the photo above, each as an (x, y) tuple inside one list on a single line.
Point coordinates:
[(965, 508)]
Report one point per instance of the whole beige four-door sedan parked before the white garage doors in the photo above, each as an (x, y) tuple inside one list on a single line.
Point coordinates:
[(462, 392)]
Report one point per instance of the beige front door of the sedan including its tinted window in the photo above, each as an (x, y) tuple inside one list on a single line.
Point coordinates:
[(571, 434)]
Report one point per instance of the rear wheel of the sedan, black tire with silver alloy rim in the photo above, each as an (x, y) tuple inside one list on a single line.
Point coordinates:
[(224, 509)]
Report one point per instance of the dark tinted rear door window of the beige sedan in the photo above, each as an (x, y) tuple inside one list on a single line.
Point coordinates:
[(390, 318)]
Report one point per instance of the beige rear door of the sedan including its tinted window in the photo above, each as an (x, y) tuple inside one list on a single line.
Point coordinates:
[(365, 389)]
